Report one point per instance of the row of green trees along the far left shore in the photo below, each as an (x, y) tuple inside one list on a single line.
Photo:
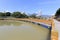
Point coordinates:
[(16, 15)]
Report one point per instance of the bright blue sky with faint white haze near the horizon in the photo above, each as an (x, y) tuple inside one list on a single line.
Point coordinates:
[(41, 7)]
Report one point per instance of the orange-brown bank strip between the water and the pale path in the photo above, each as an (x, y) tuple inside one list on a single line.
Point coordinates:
[(54, 32)]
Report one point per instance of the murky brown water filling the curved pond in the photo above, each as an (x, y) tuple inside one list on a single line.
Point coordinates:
[(18, 30)]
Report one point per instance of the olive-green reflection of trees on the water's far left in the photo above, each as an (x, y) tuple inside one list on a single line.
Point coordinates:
[(9, 23)]
